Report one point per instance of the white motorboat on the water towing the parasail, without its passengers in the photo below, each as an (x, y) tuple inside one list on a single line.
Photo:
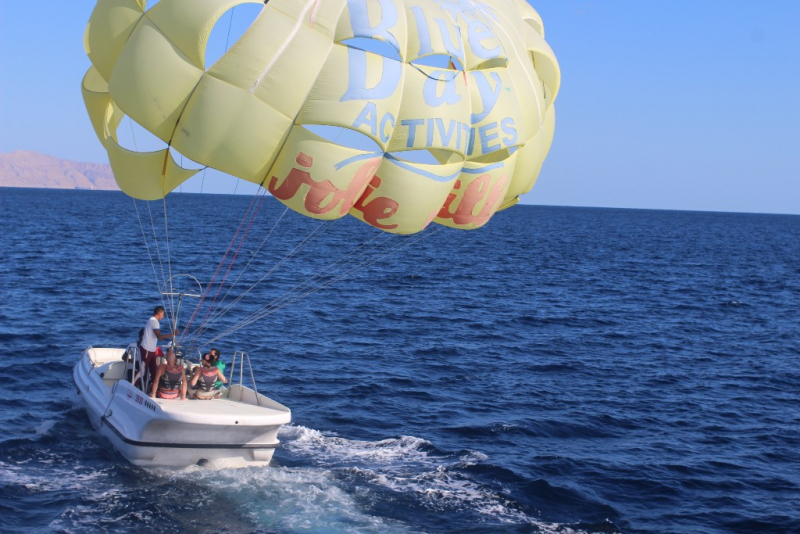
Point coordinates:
[(236, 430)]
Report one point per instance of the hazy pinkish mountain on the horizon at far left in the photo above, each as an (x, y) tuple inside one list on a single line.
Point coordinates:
[(23, 168)]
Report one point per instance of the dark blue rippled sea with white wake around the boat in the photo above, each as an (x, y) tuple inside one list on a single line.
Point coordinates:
[(561, 370)]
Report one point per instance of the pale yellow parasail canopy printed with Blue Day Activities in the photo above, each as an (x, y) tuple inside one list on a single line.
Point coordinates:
[(485, 120)]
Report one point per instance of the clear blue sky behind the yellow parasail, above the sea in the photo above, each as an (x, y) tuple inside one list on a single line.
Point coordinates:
[(670, 104)]
